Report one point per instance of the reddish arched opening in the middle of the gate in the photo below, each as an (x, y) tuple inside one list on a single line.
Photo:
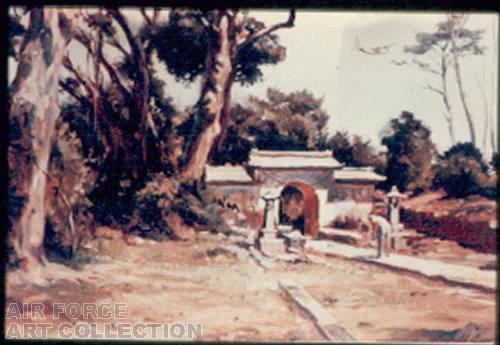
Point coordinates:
[(299, 206)]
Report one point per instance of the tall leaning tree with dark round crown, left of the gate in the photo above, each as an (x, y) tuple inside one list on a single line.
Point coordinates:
[(227, 46)]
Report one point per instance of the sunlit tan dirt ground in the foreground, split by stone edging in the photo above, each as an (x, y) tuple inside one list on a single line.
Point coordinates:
[(197, 281)]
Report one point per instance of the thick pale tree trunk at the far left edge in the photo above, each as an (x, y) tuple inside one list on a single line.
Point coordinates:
[(38, 76)]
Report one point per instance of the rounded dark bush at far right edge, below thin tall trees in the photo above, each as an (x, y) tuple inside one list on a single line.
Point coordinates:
[(462, 172)]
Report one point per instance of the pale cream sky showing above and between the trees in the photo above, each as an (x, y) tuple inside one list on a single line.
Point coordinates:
[(361, 92)]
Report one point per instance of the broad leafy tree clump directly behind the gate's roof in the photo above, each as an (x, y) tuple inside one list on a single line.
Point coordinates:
[(294, 121)]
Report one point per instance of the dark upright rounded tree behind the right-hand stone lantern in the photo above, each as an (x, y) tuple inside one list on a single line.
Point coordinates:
[(410, 154)]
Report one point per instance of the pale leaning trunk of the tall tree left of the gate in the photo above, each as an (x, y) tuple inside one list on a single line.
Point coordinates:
[(216, 85)]
